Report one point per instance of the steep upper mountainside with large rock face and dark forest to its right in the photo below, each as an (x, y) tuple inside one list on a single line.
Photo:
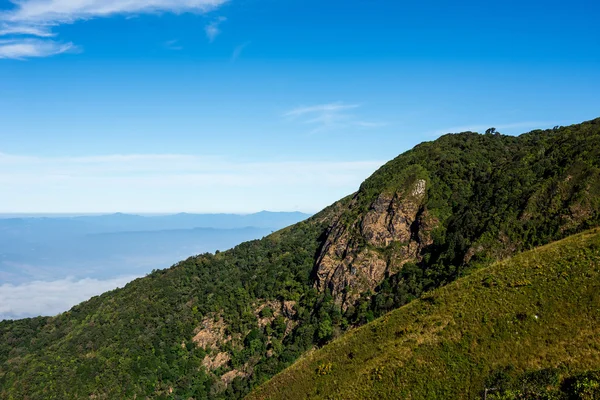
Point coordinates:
[(463, 200)]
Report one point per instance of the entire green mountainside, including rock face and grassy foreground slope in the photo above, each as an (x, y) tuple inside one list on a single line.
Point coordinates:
[(218, 326)]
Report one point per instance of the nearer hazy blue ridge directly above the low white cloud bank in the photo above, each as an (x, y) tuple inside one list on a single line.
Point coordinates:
[(106, 255)]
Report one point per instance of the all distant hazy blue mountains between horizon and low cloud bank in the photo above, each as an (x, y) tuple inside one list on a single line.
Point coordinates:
[(100, 246)]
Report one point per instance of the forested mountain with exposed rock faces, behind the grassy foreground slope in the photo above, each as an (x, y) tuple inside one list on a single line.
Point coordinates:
[(215, 326)]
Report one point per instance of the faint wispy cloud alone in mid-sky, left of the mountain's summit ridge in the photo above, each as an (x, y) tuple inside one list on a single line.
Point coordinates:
[(330, 116)]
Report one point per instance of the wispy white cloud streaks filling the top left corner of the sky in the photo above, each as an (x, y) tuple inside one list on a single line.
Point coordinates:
[(36, 18)]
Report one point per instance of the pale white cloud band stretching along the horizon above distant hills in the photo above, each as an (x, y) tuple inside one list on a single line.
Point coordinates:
[(173, 183)]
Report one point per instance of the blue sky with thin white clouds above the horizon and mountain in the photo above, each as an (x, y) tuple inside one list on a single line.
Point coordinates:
[(243, 105)]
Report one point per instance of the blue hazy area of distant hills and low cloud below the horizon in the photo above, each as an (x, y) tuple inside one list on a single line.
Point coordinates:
[(50, 263)]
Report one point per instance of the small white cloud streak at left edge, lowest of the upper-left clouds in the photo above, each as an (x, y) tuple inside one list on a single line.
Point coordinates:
[(20, 49)]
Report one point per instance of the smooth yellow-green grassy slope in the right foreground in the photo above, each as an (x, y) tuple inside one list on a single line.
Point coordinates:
[(446, 345)]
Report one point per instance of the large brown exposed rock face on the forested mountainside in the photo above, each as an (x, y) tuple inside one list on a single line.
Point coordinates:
[(356, 258)]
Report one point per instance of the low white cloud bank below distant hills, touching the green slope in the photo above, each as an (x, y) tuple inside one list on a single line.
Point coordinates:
[(51, 298)]
